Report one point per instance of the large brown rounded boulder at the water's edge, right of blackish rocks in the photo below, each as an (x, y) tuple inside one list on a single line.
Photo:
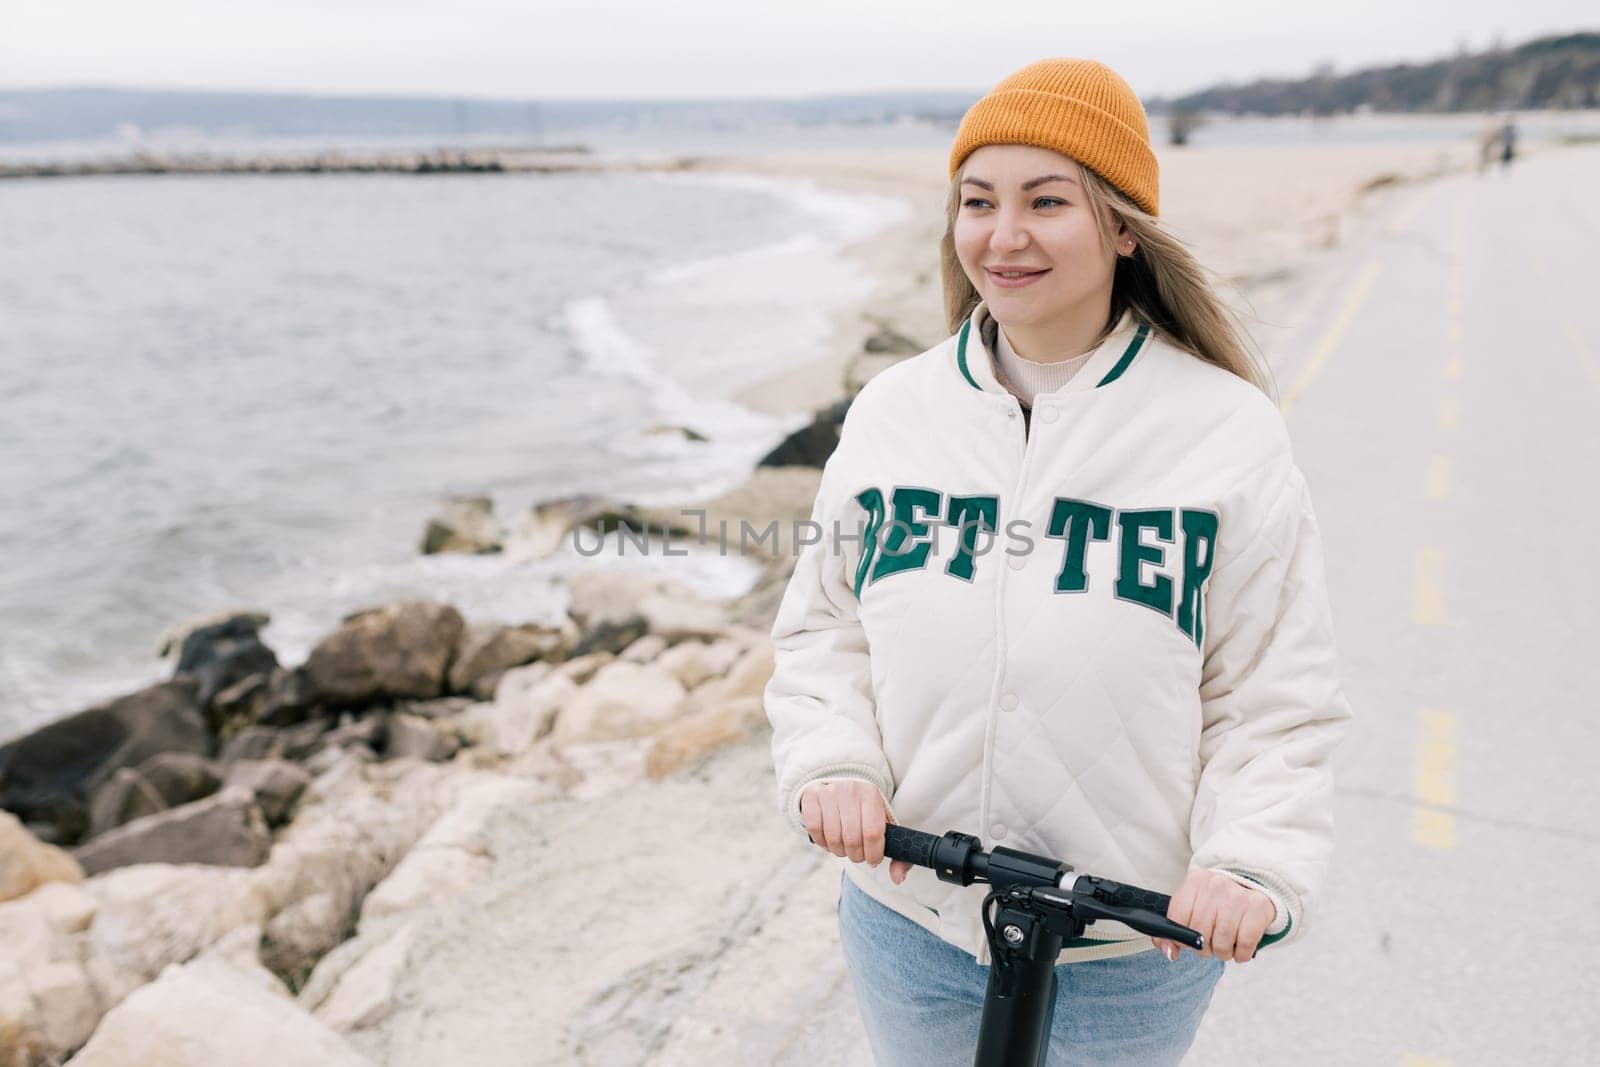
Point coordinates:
[(386, 653)]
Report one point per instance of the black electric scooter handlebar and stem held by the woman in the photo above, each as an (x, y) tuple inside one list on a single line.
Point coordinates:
[(1039, 903)]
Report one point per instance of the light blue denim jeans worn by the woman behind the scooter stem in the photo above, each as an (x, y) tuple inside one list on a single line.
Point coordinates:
[(922, 997)]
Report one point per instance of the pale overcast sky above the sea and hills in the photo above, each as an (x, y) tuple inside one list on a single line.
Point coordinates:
[(638, 49)]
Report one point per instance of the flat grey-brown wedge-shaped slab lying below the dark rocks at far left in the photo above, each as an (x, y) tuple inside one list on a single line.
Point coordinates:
[(225, 831)]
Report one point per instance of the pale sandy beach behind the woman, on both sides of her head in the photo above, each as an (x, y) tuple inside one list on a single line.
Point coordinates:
[(1257, 217)]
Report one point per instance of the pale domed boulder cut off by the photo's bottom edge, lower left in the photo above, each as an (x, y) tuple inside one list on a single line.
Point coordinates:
[(209, 1013)]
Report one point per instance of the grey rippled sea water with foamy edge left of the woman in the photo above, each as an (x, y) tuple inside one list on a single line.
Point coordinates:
[(252, 391)]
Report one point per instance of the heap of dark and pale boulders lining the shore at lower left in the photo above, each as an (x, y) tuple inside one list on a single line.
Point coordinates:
[(206, 842)]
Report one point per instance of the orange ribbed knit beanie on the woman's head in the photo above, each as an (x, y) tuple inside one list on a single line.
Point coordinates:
[(1079, 108)]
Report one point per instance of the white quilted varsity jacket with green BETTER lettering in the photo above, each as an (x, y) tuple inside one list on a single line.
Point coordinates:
[(1105, 639)]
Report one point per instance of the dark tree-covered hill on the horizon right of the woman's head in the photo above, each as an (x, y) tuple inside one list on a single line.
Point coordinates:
[(1546, 73)]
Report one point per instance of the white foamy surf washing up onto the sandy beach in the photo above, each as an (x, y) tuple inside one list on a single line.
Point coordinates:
[(697, 334)]
